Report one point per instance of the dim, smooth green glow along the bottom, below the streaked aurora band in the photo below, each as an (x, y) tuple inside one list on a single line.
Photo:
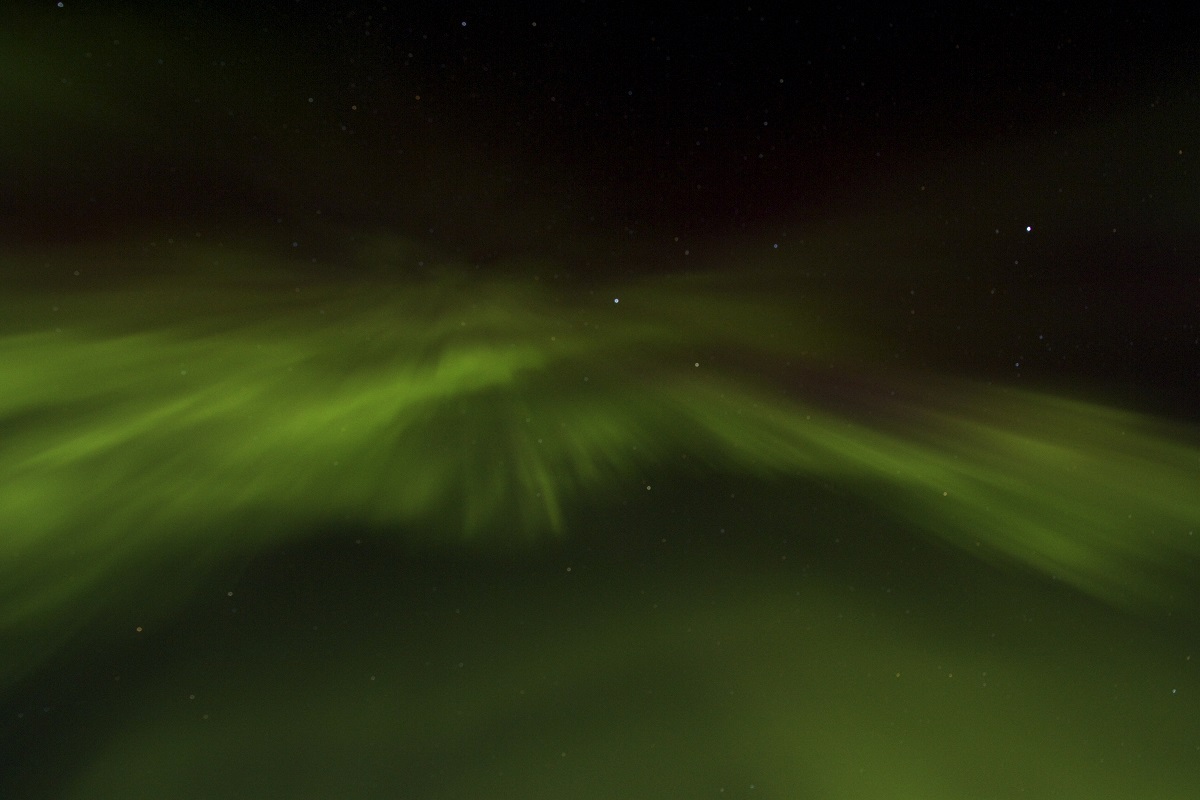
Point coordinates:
[(722, 685)]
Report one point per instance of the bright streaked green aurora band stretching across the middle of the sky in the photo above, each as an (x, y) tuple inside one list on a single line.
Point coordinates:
[(148, 417)]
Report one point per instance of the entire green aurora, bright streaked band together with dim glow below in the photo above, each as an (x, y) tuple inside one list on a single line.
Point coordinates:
[(159, 430)]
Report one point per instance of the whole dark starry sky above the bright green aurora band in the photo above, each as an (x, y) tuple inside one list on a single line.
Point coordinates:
[(925, 160)]
